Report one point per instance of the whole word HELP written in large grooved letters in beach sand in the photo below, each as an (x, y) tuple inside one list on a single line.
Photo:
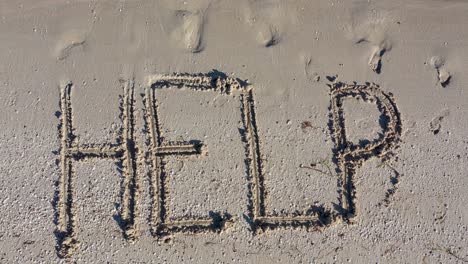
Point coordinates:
[(347, 157)]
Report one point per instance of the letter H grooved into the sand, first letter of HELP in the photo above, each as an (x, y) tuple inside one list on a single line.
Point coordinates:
[(124, 152)]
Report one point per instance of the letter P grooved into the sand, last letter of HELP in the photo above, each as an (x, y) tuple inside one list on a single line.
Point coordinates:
[(349, 156)]
